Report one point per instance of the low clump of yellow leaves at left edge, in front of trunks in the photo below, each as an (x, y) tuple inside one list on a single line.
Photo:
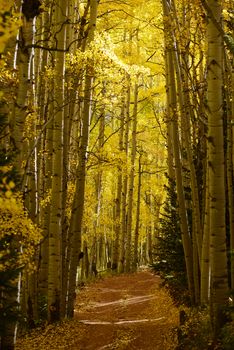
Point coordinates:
[(18, 233)]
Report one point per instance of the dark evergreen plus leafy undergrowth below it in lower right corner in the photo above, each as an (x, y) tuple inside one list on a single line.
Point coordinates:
[(195, 330)]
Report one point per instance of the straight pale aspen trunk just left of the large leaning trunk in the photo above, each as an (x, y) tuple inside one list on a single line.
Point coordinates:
[(54, 269)]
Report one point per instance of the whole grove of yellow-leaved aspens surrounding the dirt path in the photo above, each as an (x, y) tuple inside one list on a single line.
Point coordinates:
[(98, 101)]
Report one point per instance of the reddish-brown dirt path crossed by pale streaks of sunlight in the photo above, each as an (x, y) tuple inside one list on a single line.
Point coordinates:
[(126, 312)]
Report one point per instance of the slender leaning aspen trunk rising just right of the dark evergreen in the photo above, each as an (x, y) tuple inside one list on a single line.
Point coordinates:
[(181, 67)]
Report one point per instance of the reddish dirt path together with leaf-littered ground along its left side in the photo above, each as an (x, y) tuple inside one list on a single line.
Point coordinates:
[(129, 311)]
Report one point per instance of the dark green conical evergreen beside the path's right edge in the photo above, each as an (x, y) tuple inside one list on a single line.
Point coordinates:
[(169, 260)]
